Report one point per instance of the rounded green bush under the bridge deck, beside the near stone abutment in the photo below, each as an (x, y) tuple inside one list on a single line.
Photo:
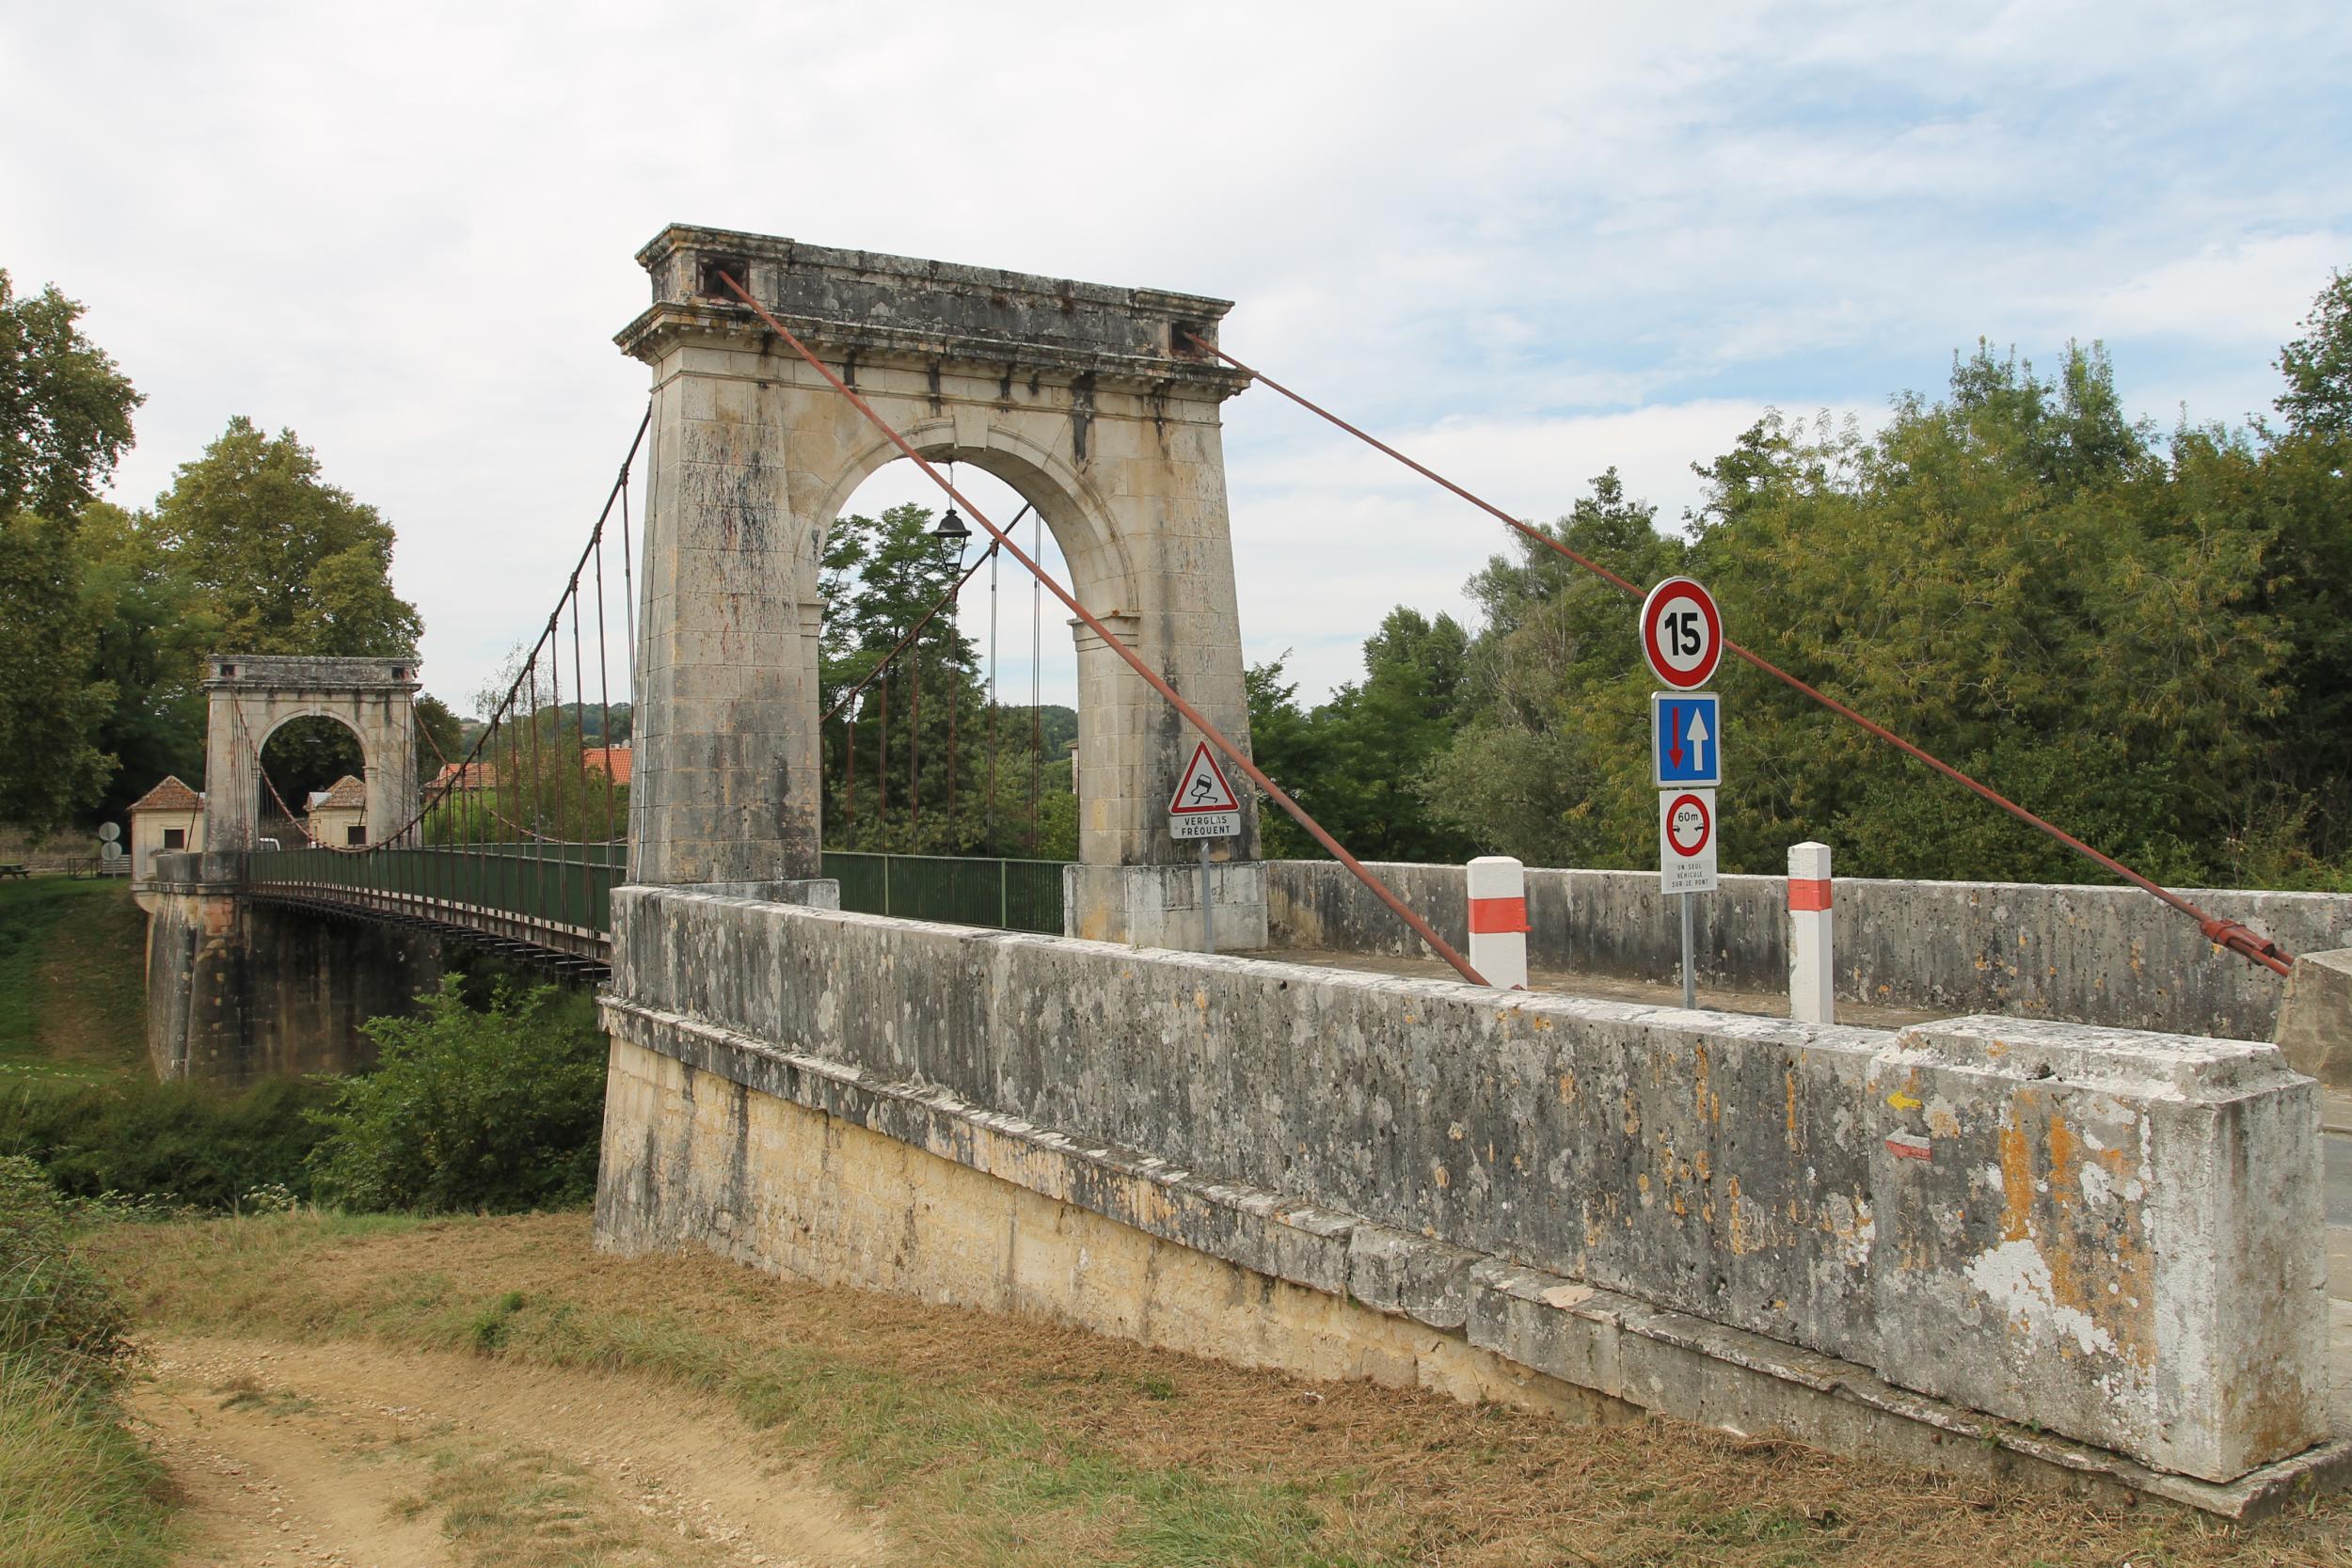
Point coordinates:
[(495, 1111)]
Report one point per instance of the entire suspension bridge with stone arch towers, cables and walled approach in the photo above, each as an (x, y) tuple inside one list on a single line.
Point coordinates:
[(900, 1071)]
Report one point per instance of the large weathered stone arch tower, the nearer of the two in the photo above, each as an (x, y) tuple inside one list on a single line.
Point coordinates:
[(1090, 401)]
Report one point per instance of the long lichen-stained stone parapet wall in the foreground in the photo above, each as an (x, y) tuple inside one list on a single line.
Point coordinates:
[(2090, 1231)]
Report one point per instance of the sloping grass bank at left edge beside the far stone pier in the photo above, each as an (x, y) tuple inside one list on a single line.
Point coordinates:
[(72, 981)]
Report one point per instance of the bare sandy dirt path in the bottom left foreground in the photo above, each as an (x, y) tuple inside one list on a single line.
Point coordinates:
[(354, 1456)]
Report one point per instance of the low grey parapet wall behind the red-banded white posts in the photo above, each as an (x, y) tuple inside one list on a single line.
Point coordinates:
[(2104, 956)]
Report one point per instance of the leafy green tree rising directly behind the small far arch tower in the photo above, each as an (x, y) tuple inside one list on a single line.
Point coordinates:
[(286, 561)]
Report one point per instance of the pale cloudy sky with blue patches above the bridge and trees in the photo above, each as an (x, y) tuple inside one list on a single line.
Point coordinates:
[(1523, 241)]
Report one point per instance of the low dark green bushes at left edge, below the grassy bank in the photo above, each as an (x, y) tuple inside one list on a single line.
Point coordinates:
[(185, 1141)]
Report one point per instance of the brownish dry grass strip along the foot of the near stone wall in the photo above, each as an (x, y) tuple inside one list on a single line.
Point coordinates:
[(996, 1440)]
